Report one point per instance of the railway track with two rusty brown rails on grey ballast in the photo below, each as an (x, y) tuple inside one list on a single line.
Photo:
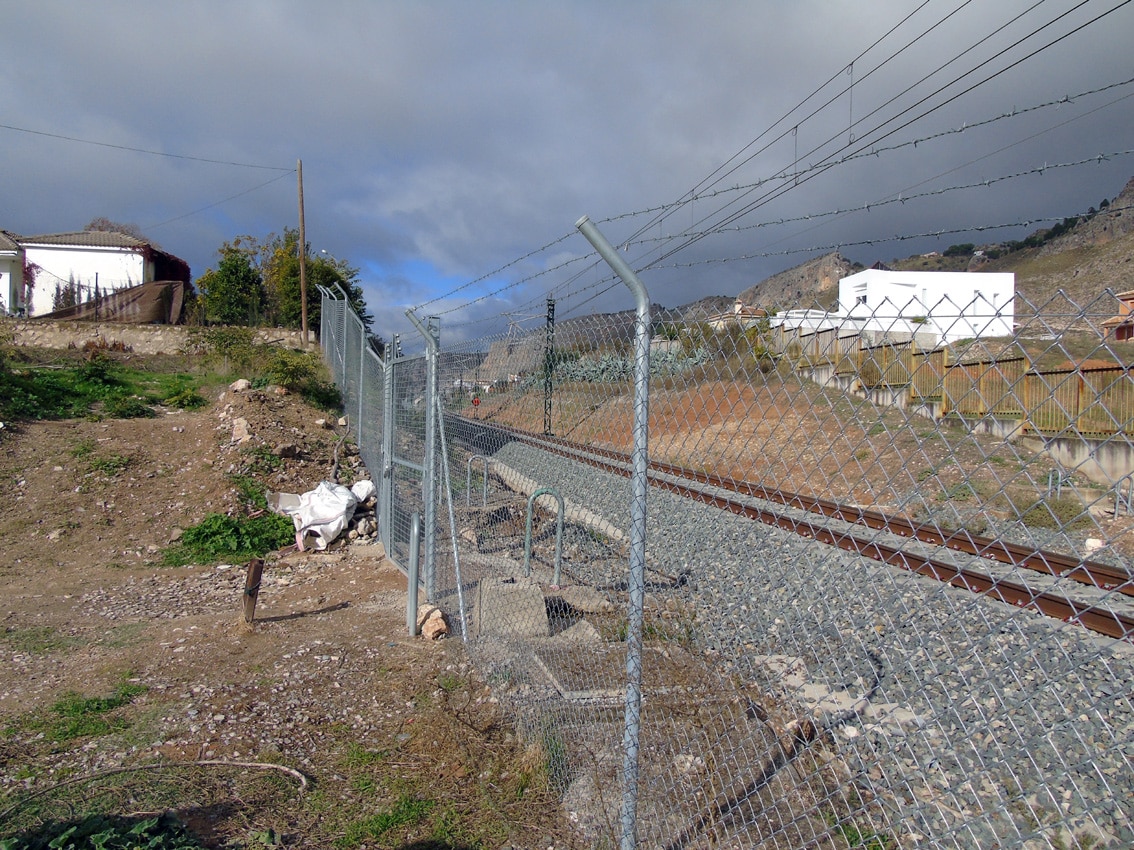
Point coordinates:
[(743, 498)]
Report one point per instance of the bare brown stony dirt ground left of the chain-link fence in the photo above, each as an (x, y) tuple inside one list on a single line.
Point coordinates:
[(388, 741)]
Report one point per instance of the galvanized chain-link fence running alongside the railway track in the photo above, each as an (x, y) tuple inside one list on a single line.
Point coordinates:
[(886, 599)]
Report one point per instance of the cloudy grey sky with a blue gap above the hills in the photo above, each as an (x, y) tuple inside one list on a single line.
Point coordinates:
[(450, 148)]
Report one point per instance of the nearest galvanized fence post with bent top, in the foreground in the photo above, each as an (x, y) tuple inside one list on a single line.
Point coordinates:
[(639, 487)]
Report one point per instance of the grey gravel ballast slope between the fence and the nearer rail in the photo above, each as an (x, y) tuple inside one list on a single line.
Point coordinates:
[(1005, 728)]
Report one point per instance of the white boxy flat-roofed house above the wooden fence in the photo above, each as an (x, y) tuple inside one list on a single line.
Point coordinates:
[(950, 305)]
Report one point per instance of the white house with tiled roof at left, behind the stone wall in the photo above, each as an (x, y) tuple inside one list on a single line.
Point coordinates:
[(91, 262)]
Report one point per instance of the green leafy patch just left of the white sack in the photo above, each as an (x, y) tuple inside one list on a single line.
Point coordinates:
[(219, 538)]
